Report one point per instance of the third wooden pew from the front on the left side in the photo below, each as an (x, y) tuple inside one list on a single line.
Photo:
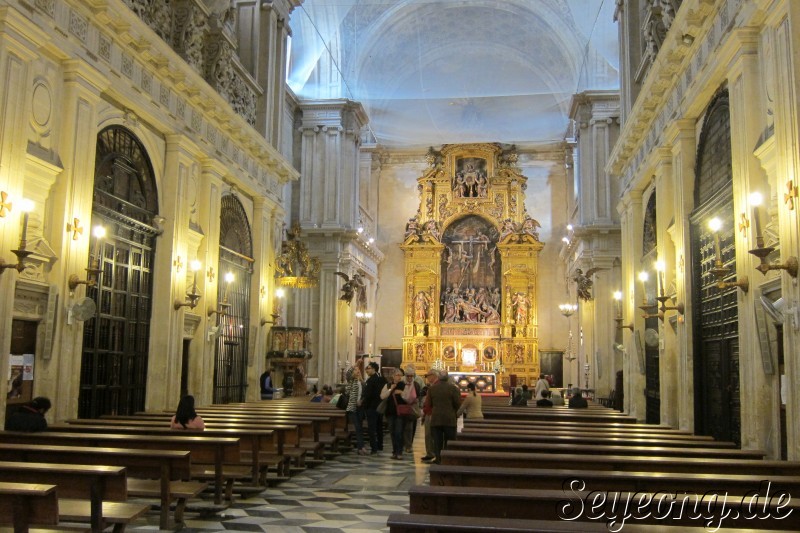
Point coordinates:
[(161, 474)]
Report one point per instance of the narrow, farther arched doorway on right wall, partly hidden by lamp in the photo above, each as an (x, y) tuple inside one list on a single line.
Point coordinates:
[(652, 369)]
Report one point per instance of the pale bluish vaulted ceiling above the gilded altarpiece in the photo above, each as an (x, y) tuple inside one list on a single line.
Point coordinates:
[(431, 72)]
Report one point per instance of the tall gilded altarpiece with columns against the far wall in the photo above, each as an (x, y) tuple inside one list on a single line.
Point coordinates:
[(471, 258)]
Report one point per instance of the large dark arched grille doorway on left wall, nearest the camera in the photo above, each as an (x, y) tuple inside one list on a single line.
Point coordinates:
[(116, 340)]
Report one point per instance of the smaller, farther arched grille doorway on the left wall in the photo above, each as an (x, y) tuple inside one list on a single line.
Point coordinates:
[(236, 259)]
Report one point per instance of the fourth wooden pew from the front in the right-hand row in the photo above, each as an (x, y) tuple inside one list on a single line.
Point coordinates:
[(620, 463)]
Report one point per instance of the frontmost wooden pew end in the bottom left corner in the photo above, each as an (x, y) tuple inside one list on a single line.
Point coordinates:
[(23, 505)]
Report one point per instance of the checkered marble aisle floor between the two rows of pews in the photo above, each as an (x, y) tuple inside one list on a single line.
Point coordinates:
[(349, 494)]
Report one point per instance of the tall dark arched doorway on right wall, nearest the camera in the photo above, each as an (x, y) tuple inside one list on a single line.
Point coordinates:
[(716, 318)]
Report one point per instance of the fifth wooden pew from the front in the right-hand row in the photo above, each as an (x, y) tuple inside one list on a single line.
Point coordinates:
[(480, 446)]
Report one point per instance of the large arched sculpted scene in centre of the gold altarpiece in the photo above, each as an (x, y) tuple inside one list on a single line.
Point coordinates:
[(470, 290)]
